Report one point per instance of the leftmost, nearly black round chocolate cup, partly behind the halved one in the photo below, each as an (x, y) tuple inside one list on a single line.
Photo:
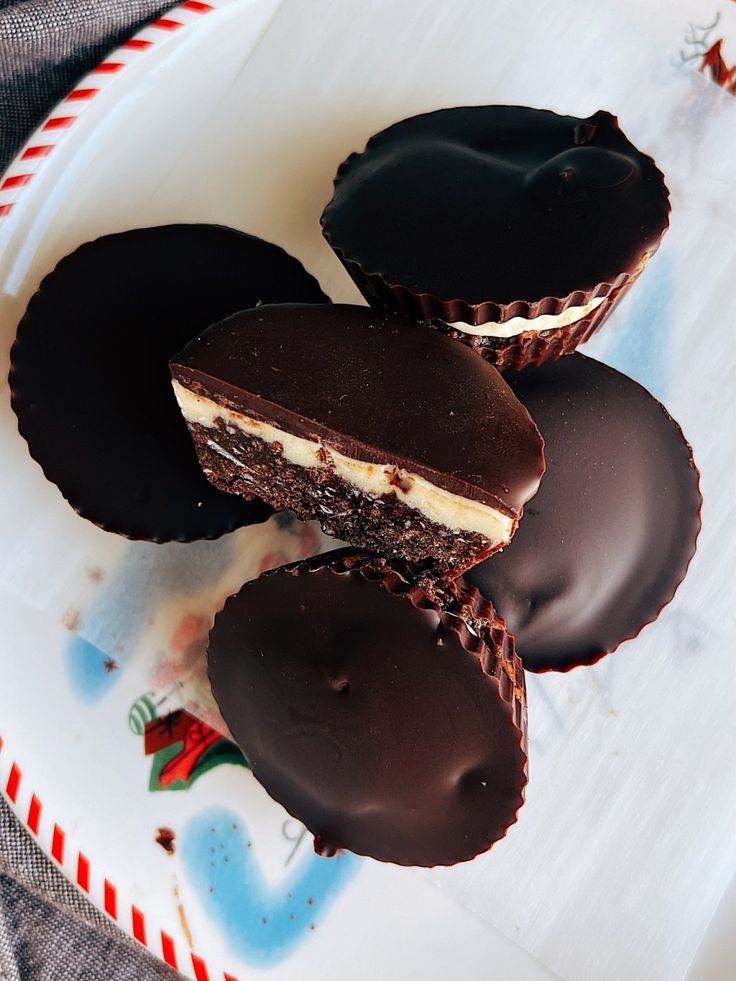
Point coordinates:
[(90, 381)]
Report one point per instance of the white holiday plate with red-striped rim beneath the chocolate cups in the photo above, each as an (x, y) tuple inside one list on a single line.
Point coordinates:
[(238, 112)]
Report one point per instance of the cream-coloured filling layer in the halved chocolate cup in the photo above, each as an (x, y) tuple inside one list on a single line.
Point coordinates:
[(439, 506)]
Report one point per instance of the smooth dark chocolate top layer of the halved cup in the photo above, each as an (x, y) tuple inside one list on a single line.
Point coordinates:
[(378, 388)]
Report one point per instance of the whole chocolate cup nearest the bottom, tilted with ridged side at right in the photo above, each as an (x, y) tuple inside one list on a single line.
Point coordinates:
[(370, 710)]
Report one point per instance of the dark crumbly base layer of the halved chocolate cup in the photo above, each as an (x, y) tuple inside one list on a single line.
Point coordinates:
[(384, 525)]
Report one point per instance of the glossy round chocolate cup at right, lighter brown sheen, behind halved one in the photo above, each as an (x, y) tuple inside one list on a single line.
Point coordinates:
[(612, 529)]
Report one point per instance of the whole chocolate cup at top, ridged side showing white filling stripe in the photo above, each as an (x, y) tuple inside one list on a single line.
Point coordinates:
[(413, 294)]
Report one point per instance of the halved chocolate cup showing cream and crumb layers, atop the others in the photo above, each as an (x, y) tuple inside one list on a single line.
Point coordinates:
[(396, 438)]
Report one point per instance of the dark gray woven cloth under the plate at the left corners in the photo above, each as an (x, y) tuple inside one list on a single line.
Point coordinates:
[(48, 931)]
